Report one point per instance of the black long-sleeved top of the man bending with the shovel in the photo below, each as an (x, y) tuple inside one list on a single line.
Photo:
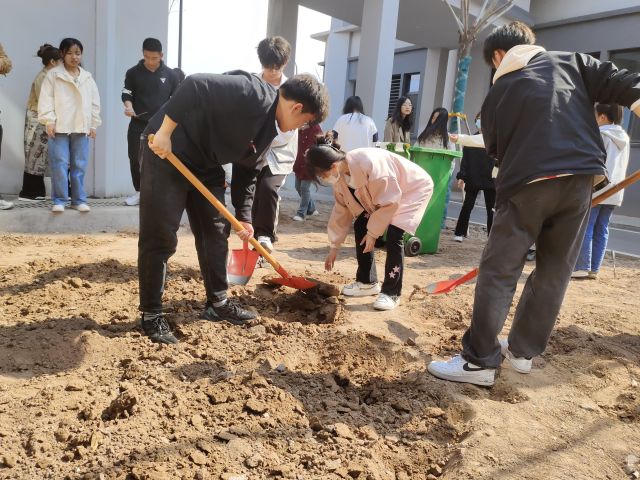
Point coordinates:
[(228, 118)]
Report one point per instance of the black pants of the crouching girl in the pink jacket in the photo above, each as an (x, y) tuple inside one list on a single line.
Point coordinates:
[(394, 265)]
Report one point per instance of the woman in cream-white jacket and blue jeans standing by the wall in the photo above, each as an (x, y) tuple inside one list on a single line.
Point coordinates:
[(69, 106)]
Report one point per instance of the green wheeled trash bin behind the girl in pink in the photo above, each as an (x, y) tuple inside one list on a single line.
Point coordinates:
[(437, 163)]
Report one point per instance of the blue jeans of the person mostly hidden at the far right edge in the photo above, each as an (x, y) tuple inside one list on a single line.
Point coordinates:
[(595, 239)]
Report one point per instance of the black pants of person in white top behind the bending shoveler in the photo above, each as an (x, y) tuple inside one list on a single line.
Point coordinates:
[(264, 213)]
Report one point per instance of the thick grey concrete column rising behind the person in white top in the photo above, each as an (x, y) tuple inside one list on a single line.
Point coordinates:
[(375, 62)]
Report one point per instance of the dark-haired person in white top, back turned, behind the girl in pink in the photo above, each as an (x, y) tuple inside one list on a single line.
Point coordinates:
[(354, 128)]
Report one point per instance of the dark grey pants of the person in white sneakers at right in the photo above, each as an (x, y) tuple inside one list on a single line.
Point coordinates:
[(553, 214)]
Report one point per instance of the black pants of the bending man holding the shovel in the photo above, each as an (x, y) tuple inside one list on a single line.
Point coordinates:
[(164, 196)]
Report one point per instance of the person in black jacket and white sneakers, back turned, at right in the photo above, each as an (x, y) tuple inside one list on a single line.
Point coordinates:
[(538, 121)]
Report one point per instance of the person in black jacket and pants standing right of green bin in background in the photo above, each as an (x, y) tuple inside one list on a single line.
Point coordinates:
[(475, 175)]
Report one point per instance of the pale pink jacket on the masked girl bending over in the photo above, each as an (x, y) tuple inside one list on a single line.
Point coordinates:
[(393, 191)]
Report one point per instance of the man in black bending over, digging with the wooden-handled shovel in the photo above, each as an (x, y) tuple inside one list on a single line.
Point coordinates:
[(211, 120)]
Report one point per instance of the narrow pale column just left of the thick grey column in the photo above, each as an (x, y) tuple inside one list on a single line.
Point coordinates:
[(336, 66)]
